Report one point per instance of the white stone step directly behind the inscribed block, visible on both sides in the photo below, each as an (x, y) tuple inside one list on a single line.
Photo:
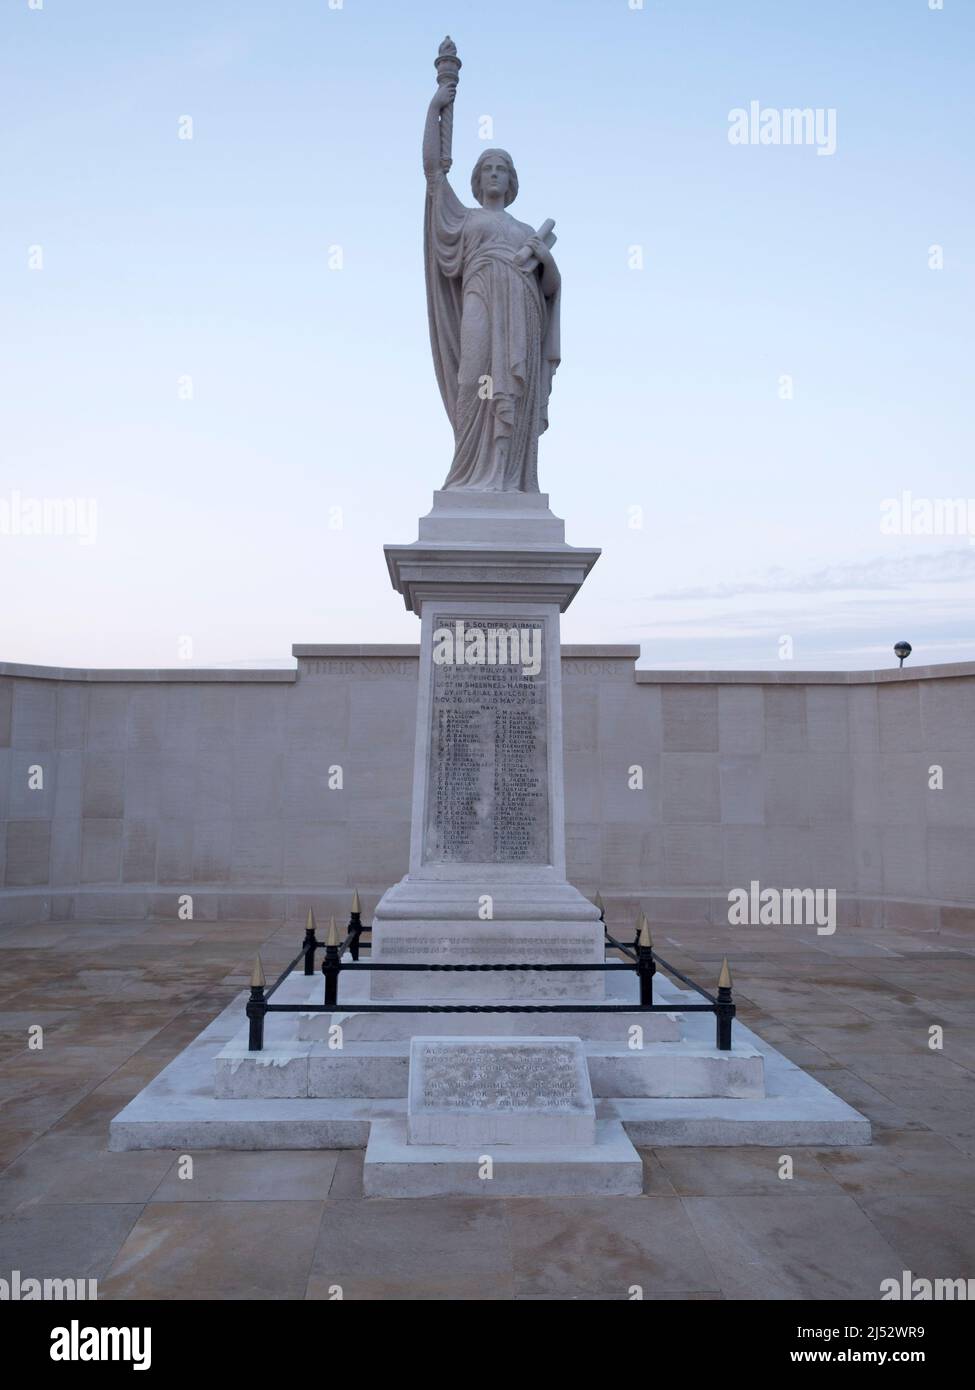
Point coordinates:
[(380, 1070)]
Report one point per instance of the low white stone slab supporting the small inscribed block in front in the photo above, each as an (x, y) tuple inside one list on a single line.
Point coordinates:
[(609, 1168)]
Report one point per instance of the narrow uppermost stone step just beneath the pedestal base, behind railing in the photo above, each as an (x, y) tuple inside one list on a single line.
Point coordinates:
[(389, 1028)]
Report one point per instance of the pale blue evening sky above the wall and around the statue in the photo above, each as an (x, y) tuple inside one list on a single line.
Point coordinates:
[(215, 363)]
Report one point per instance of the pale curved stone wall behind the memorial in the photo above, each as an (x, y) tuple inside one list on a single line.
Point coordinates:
[(255, 794)]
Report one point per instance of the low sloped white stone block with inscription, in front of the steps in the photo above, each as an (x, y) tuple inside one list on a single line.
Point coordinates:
[(489, 1090)]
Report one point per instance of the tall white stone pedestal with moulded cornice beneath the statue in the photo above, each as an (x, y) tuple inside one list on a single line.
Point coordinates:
[(489, 578)]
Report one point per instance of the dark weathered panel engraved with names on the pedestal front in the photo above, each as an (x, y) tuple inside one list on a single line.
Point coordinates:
[(487, 786)]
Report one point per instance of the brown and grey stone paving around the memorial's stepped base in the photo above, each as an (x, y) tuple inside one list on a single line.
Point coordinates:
[(118, 1001)]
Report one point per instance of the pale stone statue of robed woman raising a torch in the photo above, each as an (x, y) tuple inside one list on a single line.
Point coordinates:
[(493, 300)]
